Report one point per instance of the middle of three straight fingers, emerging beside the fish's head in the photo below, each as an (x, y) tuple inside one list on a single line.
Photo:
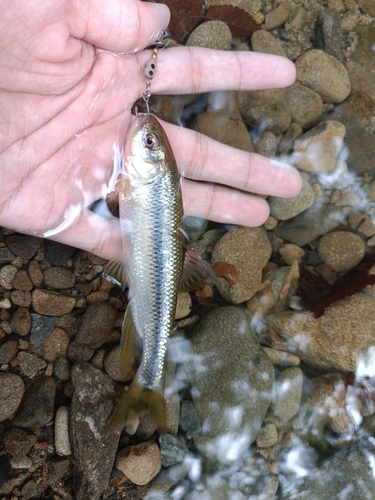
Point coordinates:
[(201, 158)]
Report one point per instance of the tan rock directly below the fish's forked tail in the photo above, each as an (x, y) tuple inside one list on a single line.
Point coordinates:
[(140, 463)]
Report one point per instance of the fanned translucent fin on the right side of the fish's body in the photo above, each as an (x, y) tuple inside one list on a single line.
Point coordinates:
[(196, 272)]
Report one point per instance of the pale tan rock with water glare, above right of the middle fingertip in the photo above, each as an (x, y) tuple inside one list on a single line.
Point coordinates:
[(318, 149)]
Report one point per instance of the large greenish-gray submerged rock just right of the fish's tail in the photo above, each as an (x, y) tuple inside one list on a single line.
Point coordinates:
[(233, 396)]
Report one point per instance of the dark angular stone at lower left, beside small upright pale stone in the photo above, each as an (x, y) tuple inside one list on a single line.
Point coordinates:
[(36, 408)]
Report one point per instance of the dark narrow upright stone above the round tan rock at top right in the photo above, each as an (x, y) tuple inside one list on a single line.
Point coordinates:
[(328, 32)]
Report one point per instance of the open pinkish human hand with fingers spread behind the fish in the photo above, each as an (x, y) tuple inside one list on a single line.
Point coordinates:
[(63, 106)]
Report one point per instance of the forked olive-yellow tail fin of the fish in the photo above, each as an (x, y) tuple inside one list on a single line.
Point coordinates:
[(136, 401)]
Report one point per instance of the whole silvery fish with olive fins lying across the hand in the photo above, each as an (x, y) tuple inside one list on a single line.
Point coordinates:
[(154, 264)]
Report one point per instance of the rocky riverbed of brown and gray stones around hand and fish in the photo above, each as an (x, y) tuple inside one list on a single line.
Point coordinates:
[(270, 375)]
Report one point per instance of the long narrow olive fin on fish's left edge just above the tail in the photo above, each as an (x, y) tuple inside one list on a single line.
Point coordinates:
[(130, 342)]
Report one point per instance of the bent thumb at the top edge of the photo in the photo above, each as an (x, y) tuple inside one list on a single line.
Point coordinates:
[(118, 26)]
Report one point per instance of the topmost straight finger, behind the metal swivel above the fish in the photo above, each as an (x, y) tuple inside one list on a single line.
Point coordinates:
[(191, 70)]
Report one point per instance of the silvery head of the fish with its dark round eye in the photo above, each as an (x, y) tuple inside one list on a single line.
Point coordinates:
[(146, 150)]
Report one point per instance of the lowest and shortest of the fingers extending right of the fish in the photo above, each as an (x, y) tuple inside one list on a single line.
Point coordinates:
[(222, 204)]
